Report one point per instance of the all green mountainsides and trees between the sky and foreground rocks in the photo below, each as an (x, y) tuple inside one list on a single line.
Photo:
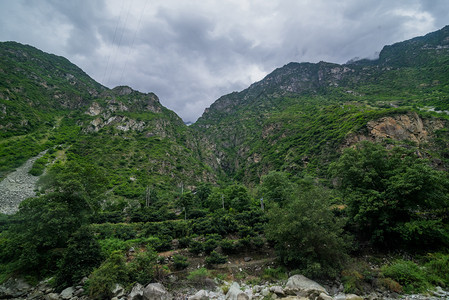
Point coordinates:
[(337, 172)]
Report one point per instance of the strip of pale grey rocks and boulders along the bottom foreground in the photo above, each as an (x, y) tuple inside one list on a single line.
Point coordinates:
[(297, 287)]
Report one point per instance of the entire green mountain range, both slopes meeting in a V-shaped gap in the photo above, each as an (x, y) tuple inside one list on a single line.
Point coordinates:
[(297, 119)]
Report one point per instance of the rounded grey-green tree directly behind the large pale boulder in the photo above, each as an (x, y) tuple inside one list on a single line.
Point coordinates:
[(307, 235)]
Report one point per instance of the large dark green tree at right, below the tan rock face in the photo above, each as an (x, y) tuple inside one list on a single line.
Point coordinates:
[(393, 197)]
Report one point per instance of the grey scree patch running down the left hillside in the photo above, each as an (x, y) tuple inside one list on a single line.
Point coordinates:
[(18, 186)]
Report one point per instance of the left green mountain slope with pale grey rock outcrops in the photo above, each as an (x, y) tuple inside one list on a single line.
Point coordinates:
[(47, 103)]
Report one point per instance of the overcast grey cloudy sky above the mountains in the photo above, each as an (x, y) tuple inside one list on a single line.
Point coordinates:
[(190, 52)]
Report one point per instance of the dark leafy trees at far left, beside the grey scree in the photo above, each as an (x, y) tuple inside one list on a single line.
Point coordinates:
[(44, 225)]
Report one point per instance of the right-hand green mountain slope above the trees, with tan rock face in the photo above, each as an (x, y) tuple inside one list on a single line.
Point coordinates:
[(300, 116)]
